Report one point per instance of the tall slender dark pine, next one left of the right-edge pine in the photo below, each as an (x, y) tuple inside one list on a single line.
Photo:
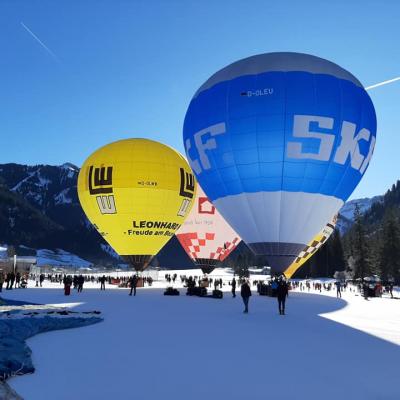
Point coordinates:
[(360, 249)]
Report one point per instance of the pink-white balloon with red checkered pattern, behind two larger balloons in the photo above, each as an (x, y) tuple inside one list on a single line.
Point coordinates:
[(205, 236)]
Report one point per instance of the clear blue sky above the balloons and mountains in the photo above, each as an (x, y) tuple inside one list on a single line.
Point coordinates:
[(78, 74)]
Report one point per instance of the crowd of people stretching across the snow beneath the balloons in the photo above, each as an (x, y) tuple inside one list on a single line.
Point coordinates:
[(276, 286)]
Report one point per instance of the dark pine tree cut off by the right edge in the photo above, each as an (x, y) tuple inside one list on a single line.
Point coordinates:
[(389, 254)]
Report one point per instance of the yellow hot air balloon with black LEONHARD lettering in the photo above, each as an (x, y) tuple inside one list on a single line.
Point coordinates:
[(136, 193)]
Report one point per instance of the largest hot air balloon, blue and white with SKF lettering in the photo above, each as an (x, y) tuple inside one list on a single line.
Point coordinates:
[(278, 142)]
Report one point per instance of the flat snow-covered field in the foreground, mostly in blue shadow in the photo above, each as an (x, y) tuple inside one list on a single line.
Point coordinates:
[(157, 347)]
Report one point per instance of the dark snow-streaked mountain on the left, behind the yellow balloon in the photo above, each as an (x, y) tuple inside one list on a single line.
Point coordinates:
[(40, 209)]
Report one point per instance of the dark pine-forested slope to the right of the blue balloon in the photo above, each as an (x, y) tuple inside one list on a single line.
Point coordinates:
[(370, 247)]
